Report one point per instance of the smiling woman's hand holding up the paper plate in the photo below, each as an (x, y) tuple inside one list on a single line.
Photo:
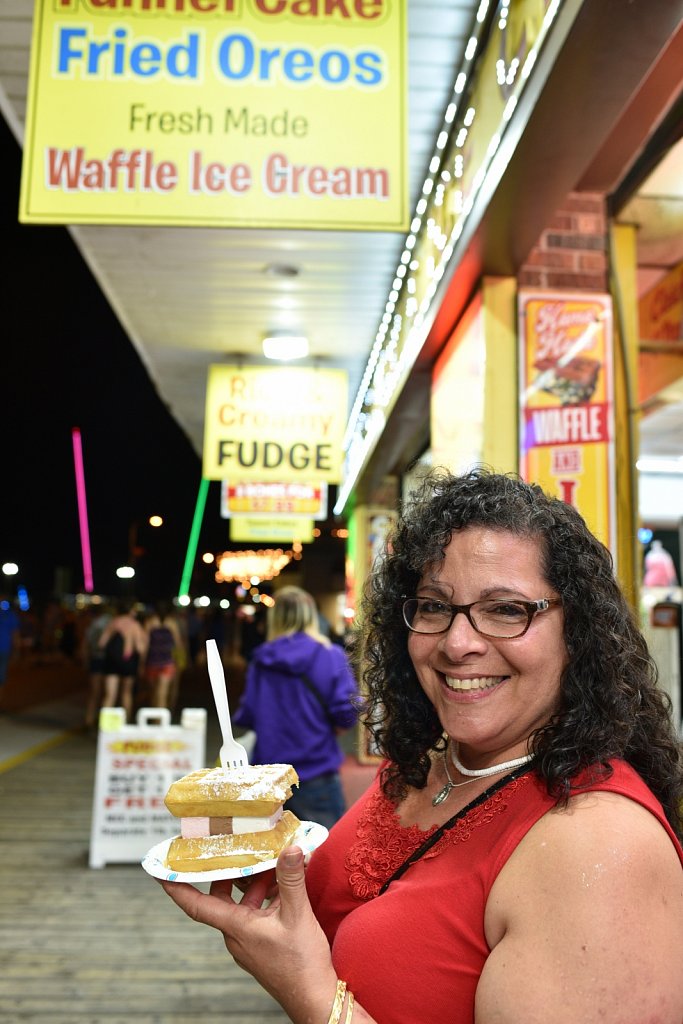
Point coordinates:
[(281, 945)]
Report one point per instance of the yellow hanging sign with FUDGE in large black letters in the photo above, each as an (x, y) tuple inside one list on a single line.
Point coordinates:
[(275, 423)]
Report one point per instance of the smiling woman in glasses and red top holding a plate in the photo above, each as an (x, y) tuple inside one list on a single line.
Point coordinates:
[(524, 834)]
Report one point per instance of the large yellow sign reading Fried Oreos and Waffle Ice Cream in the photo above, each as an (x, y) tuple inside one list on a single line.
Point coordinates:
[(239, 113)]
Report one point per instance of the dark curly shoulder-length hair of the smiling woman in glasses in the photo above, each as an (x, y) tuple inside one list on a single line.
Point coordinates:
[(611, 706)]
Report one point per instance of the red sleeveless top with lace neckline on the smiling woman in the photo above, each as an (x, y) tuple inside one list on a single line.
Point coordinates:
[(414, 955)]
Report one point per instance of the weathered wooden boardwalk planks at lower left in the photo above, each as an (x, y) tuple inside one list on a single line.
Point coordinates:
[(84, 947)]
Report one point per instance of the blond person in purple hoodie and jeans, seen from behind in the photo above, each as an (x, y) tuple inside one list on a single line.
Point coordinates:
[(300, 694)]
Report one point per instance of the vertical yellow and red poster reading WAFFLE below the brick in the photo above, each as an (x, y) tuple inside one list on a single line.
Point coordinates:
[(567, 431)]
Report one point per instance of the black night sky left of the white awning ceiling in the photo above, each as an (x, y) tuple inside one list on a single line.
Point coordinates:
[(67, 362)]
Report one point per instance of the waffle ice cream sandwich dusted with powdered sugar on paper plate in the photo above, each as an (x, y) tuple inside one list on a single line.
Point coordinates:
[(231, 818)]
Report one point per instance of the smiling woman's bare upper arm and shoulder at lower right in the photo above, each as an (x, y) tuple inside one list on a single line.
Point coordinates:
[(586, 922)]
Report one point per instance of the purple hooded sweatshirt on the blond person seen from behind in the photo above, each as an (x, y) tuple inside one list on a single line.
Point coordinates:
[(291, 727)]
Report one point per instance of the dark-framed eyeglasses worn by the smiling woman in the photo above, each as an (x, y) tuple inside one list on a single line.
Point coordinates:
[(498, 619)]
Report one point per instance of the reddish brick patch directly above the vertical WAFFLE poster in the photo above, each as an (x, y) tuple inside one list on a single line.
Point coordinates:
[(572, 252)]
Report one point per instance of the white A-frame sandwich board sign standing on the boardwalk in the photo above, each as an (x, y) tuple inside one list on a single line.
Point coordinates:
[(136, 767)]
